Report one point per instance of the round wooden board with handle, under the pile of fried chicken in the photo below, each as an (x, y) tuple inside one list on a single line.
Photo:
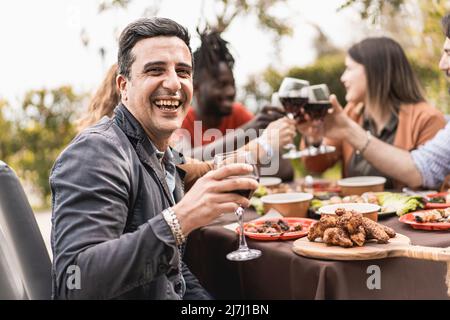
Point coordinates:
[(400, 246)]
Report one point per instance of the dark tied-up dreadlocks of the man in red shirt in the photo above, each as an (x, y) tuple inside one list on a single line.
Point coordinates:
[(211, 52)]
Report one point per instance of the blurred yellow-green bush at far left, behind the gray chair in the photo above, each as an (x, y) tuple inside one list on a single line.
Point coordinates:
[(45, 128)]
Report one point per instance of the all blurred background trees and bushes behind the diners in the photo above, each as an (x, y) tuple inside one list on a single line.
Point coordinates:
[(37, 128)]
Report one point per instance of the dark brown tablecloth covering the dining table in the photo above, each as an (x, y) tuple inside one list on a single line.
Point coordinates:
[(281, 274)]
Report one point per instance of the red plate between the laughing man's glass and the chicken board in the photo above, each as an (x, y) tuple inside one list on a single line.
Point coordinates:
[(306, 224)]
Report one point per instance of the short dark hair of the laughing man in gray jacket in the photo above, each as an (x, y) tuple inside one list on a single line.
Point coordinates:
[(142, 29)]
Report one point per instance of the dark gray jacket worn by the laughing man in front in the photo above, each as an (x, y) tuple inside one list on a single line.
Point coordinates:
[(108, 190)]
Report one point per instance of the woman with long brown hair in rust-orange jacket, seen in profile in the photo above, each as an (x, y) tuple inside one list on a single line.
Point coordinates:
[(386, 99)]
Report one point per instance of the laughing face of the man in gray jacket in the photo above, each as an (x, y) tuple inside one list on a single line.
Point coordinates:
[(160, 85)]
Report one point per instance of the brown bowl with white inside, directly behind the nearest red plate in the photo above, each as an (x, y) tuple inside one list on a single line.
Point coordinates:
[(292, 204)]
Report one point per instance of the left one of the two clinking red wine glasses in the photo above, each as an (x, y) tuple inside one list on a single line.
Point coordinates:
[(293, 95)]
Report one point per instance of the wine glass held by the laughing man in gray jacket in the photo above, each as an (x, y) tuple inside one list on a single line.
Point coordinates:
[(243, 253)]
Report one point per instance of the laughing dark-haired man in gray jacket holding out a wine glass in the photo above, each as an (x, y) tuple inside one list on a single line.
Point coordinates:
[(120, 218)]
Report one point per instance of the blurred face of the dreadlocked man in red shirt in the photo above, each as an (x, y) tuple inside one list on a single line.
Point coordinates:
[(215, 96)]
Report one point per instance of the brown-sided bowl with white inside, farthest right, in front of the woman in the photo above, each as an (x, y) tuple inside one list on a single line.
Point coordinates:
[(359, 185)]
